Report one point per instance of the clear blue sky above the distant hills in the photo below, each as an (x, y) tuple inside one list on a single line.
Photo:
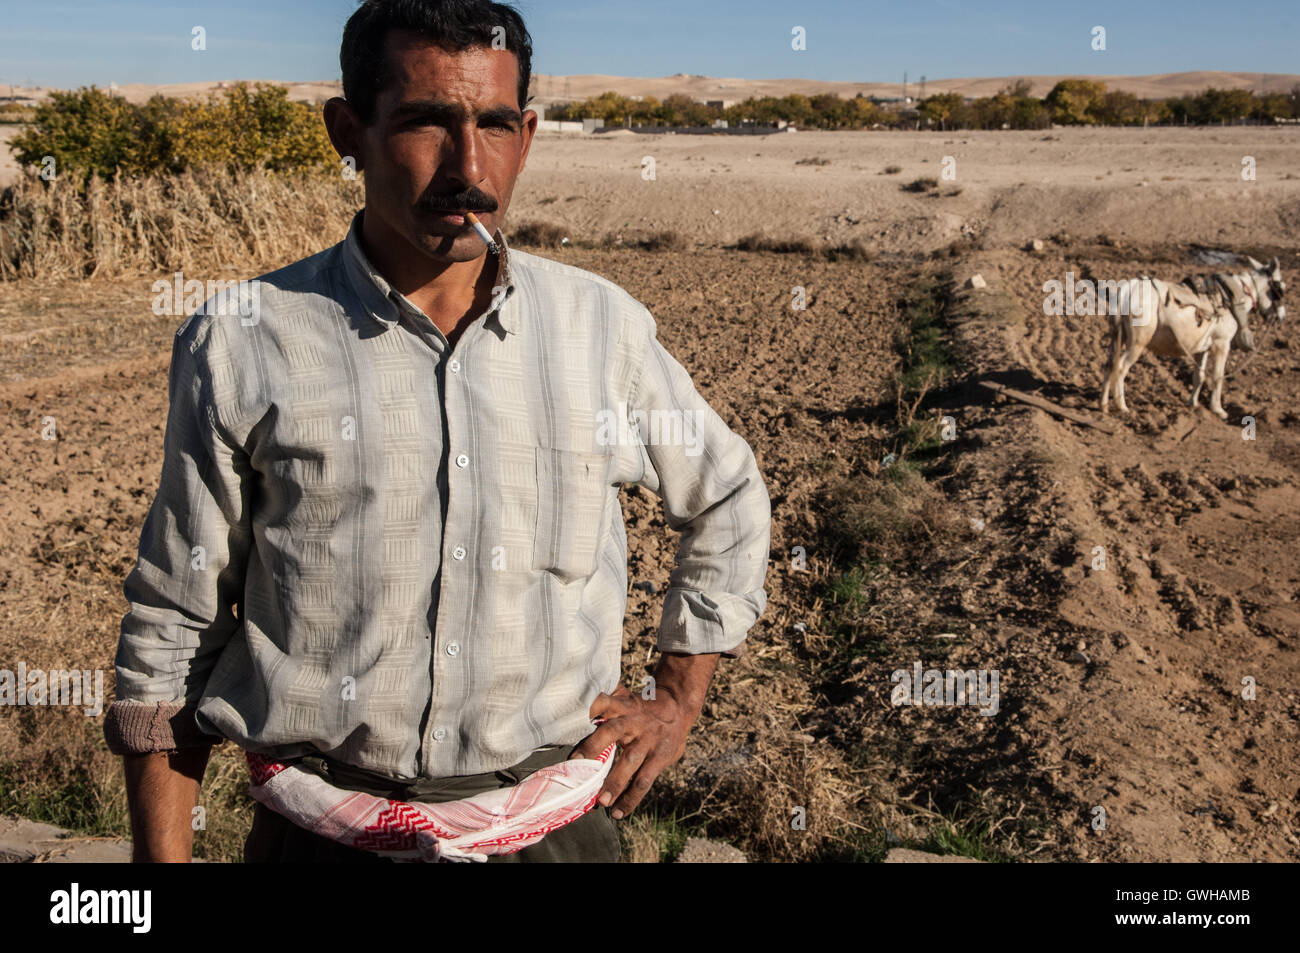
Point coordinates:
[(83, 42)]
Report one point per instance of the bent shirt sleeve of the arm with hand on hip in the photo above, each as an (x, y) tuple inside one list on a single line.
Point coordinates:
[(713, 493)]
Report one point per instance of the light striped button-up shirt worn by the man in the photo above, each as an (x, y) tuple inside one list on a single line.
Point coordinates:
[(411, 557)]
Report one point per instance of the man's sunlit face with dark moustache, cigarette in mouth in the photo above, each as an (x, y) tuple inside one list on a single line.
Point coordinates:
[(447, 136)]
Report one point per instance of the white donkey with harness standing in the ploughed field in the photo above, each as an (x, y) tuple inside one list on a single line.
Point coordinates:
[(1204, 318)]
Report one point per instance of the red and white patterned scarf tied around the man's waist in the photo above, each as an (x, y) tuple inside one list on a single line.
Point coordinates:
[(496, 822)]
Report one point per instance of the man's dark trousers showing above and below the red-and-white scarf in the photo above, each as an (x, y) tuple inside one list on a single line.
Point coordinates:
[(591, 839)]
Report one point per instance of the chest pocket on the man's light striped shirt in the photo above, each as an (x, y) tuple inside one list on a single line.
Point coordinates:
[(573, 501)]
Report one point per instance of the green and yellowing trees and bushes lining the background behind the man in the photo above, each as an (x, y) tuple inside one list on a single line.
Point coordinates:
[(93, 132)]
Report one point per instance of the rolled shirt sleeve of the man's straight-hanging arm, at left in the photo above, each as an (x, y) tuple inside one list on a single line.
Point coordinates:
[(184, 588)]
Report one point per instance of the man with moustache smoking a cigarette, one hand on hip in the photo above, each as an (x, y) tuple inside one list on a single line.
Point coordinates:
[(388, 543)]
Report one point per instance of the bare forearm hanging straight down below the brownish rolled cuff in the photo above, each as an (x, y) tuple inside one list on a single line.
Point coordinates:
[(163, 790)]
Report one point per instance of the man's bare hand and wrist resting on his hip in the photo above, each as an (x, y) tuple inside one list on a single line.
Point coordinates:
[(652, 733)]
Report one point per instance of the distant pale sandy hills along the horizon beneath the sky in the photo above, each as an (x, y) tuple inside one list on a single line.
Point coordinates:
[(560, 89)]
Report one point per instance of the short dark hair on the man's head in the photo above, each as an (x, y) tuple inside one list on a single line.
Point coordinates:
[(454, 25)]
